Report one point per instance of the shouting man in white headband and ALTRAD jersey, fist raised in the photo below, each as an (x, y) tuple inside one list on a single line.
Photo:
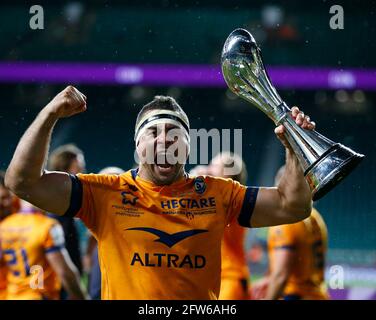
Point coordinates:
[(159, 230)]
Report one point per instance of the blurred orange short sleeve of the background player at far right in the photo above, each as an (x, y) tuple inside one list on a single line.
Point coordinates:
[(282, 237)]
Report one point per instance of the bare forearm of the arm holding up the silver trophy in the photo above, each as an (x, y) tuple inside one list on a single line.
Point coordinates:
[(294, 190)]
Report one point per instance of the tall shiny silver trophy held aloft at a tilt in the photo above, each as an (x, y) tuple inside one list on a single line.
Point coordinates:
[(324, 162)]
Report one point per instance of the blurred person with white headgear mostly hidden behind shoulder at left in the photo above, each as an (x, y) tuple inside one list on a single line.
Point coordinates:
[(91, 255)]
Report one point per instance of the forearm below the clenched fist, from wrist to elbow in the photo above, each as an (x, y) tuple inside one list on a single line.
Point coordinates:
[(29, 158)]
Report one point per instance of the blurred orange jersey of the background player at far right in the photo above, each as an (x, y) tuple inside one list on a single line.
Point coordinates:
[(308, 239)]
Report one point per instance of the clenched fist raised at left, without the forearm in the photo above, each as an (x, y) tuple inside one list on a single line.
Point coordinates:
[(67, 103)]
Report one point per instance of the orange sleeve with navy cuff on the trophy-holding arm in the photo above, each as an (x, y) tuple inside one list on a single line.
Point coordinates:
[(241, 202)]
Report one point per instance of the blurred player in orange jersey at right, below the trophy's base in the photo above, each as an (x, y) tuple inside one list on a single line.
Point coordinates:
[(296, 260)]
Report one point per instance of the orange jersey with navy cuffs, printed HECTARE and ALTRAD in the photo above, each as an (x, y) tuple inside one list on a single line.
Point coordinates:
[(159, 242)]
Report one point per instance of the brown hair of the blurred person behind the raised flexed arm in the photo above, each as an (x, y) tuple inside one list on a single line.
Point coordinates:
[(61, 158)]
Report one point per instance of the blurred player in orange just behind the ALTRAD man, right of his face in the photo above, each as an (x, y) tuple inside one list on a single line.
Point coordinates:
[(235, 273)]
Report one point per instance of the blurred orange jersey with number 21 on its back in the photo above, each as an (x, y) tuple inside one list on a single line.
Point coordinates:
[(26, 239)]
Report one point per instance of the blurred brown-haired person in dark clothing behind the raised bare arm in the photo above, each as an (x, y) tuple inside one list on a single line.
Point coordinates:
[(68, 158)]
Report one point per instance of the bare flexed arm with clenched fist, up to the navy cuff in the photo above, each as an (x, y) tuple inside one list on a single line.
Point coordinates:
[(25, 176)]
